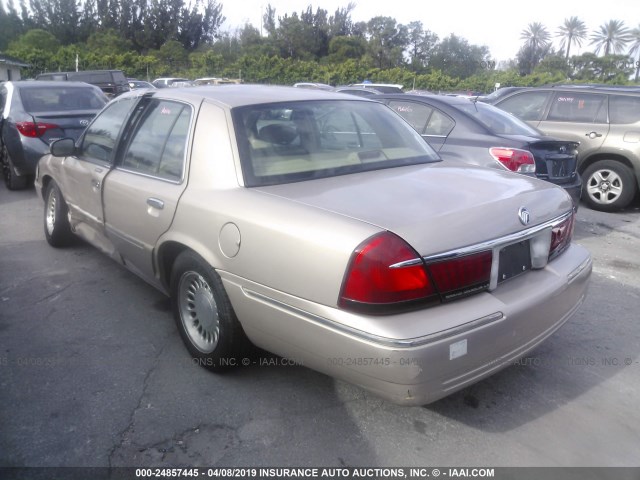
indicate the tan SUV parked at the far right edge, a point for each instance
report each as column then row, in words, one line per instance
column 606, row 122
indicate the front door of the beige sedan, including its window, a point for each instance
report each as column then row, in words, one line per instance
column 82, row 175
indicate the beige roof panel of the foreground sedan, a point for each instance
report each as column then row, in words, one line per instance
column 233, row 96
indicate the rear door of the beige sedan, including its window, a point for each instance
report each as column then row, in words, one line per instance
column 142, row 192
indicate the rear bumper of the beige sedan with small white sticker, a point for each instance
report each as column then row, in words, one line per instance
column 483, row 334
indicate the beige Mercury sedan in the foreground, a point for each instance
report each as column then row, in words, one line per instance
column 320, row 227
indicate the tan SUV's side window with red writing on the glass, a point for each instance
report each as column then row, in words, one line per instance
column 578, row 107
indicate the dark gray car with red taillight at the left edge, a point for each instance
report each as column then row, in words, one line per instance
column 35, row 113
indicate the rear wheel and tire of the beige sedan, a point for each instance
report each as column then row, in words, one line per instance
column 204, row 315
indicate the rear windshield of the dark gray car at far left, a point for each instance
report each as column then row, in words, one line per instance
column 55, row 99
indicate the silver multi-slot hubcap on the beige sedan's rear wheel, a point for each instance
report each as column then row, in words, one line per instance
column 198, row 311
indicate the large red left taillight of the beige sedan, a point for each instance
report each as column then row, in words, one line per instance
column 386, row 275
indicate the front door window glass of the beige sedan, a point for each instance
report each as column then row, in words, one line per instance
column 100, row 137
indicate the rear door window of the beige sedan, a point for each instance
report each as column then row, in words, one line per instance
column 158, row 145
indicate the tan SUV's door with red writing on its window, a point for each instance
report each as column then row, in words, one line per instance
column 578, row 116
